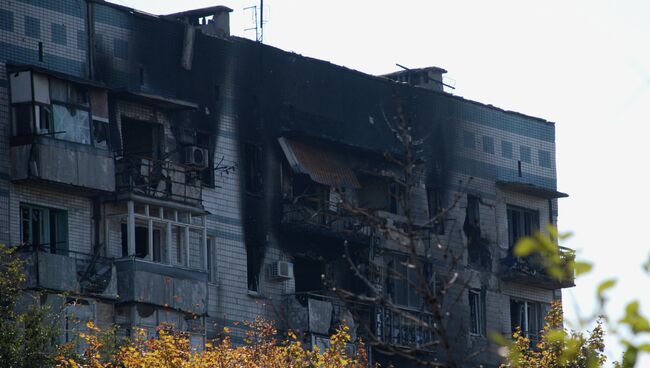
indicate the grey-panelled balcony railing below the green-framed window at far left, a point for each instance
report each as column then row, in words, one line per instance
column 65, row 270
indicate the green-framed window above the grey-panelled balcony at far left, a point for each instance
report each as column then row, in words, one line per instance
column 45, row 228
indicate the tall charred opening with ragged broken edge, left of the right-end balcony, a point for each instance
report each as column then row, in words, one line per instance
column 478, row 253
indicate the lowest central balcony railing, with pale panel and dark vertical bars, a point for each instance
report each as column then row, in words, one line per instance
column 400, row 327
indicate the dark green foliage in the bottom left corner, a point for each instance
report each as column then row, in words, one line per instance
column 27, row 338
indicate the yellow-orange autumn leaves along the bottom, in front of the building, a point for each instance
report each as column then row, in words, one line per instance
column 172, row 349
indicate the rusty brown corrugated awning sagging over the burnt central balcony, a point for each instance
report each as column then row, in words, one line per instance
column 322, row 166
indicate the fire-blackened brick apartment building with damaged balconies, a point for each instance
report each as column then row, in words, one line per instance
column 159, row 170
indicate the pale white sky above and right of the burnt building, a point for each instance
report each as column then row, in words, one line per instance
column 584, row 65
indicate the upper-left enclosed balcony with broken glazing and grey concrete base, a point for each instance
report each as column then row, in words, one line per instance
column 59, row 131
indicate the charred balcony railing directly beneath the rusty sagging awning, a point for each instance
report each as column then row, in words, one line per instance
column 326, row 218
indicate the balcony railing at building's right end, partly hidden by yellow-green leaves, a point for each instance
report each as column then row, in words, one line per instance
column 533, row 270
